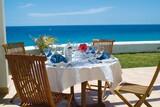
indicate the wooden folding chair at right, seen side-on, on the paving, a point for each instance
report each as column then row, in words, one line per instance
column 142, row 92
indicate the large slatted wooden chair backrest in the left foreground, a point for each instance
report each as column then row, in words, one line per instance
column 30, row 79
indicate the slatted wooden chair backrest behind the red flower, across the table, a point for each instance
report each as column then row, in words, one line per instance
column 101, row 45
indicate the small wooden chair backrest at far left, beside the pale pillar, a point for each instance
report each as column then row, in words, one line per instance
column 14, row 48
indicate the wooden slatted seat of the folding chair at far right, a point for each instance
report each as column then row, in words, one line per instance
column 133, row 88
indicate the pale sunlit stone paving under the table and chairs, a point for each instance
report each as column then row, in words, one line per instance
column 134, row 75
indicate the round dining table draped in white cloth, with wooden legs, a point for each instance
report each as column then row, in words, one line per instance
column 64, row 75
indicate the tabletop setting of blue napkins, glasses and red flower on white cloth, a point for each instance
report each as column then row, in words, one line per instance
column 81, row 55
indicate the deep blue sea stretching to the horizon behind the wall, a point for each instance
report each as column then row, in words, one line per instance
column 85, row 33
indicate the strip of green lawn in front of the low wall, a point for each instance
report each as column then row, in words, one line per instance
column 138, row 59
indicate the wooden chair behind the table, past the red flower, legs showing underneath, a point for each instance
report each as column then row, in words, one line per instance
column 102, row 45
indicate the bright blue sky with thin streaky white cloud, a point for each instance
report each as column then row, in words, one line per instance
column 81, row 12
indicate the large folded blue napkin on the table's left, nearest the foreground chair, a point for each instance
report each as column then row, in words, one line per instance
column 57, row 58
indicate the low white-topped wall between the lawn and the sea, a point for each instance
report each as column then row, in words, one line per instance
column 119, row 47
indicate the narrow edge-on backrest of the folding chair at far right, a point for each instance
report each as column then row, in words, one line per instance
column 154, row 78
